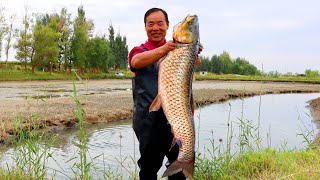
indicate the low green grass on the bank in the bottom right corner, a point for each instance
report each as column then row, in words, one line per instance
column 264, row 164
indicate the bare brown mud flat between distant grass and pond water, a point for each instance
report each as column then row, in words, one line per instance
column 51, row 103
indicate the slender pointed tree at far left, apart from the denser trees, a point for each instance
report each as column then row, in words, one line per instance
column 24, row 46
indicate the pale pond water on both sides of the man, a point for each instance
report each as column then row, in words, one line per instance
column 282, row 118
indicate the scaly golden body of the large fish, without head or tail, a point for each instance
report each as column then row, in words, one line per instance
column 175, row 76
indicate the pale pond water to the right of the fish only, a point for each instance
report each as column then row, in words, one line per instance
column 282, row 117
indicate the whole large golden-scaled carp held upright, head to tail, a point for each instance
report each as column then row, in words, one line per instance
column 175, row 93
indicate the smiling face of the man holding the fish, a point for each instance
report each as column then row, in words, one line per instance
column 156, row 27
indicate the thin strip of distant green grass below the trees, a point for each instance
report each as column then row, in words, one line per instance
column 16, row 72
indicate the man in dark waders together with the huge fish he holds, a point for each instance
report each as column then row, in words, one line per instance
column 165, row 94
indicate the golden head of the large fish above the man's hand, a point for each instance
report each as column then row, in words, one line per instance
column 187, row 31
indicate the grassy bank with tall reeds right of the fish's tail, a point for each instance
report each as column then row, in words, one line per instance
column 249, row 160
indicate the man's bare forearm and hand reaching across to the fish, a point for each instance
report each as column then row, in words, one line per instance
column 147, row 58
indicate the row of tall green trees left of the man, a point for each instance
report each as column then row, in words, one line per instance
column 55, row 42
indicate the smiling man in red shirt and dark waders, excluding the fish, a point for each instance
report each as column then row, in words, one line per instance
column 152, row 129
